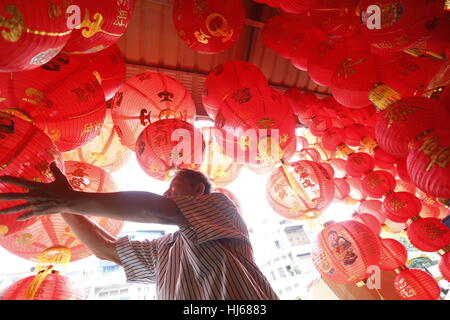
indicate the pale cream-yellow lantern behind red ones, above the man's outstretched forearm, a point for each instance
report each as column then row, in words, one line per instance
column 105, row 151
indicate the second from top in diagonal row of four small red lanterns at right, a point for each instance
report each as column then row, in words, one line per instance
column 377, row 183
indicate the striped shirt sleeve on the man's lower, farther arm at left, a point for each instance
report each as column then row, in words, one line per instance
column 138, row 258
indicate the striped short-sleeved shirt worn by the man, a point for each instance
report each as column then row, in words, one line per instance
column 212, row 259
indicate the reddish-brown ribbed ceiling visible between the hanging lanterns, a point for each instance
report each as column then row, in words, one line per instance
column 151, row 43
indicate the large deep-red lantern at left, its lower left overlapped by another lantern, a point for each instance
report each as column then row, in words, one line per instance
column 62, row 97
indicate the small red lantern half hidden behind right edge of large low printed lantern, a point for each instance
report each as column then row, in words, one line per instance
column 393, row 254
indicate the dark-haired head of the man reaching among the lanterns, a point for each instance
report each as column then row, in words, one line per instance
column 188, row 183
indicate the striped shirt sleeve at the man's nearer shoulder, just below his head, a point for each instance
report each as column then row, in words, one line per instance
column 212, row 217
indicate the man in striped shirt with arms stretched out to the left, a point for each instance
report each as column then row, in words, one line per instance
column 209, row 257
